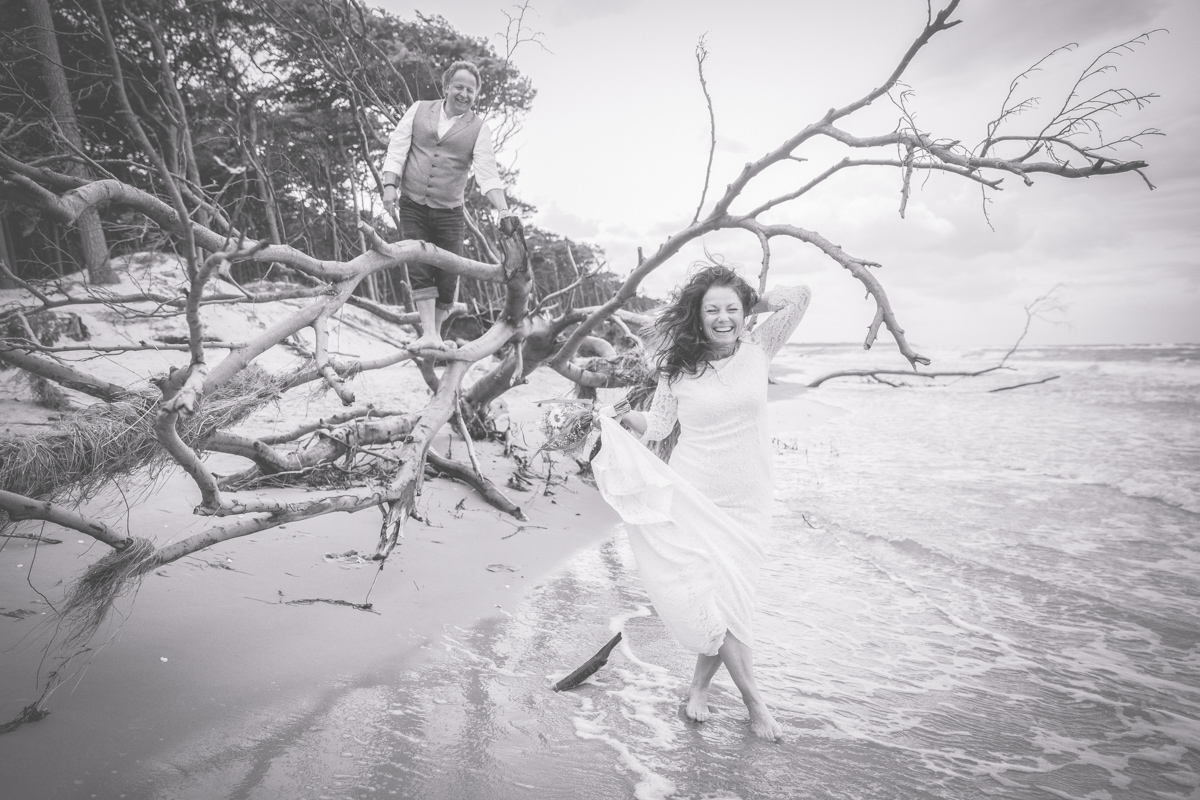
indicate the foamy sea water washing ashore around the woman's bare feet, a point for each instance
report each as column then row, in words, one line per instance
column 967, row 594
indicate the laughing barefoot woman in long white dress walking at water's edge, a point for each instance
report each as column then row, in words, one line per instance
column 697, row 527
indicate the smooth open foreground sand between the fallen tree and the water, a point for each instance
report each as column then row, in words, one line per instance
column 209, row 652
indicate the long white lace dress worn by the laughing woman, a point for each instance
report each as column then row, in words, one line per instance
column 697, row 526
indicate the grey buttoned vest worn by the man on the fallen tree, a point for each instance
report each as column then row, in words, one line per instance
column 436, row 171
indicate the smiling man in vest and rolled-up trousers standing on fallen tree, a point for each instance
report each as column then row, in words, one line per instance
column 430, row 155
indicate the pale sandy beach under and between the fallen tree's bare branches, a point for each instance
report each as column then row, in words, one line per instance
column 225, row 641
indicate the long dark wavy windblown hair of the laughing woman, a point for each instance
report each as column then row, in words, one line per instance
column 687, row 351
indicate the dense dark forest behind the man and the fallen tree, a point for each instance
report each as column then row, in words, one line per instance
column 273, row 113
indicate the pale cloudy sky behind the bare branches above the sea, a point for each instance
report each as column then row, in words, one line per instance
column 614, row 154
